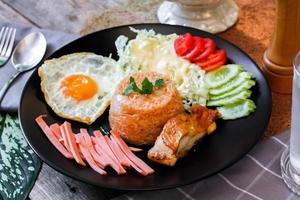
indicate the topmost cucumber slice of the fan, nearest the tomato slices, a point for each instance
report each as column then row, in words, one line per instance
column 222, row 75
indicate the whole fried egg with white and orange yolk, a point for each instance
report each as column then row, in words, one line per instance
column 79, row 86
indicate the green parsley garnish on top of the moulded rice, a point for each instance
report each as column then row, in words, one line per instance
column 147, row 86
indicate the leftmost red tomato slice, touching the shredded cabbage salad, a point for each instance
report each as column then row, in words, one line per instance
column 183, row 44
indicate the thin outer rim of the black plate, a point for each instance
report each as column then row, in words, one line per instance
column 151, row 188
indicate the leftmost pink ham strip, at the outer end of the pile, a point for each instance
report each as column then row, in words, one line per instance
column 52, row 138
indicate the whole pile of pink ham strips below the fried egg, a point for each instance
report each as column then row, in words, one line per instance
column 98, row 151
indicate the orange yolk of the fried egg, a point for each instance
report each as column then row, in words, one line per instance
column 79, row 87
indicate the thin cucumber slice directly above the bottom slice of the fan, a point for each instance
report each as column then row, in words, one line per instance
column 231, row 99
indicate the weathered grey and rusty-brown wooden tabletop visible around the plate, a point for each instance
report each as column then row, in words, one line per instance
column 252, row 33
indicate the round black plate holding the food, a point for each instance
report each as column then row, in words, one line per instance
column 229, row 143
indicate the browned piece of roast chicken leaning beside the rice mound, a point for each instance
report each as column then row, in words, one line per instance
column 181, row 133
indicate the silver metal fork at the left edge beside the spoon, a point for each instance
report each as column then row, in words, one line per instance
column 7, row 38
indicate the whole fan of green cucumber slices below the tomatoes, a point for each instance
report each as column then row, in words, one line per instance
column 229, row 91
